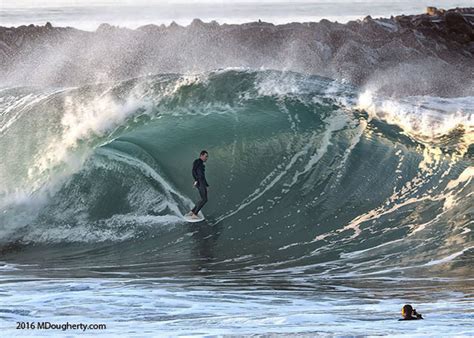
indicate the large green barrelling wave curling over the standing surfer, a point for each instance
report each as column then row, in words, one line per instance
column 301, row 177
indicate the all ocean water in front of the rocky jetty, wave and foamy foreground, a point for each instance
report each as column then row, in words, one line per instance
column 330, row 207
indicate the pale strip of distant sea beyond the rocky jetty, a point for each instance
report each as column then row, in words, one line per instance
column 88, row 15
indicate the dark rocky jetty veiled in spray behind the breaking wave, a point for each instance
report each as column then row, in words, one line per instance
column 428, row 54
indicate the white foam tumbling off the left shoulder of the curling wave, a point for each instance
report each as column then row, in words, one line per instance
column 84, row 123
